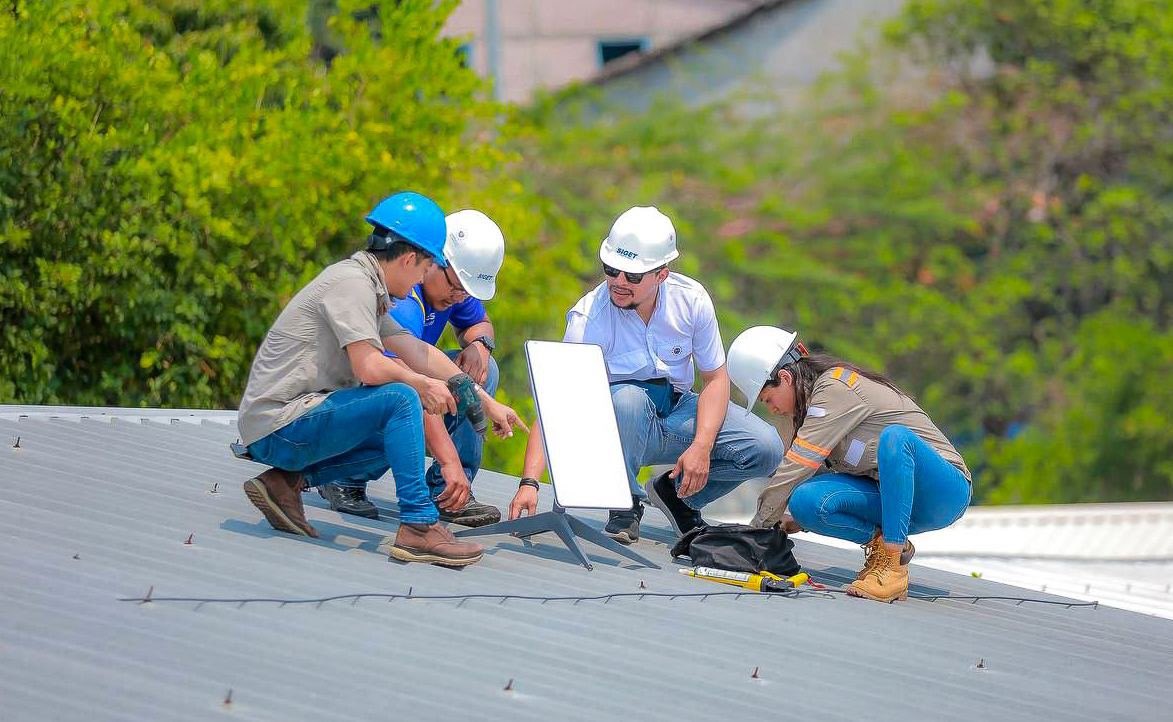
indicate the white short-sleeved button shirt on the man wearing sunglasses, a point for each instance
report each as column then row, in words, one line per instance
column 683, row 330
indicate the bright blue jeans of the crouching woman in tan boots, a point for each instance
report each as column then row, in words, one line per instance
column 918, row 492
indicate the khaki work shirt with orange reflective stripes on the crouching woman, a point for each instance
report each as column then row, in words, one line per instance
column 842, row 433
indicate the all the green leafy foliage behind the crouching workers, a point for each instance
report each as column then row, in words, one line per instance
column 994, row 228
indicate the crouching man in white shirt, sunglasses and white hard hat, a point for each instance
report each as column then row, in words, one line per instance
column 653, row 326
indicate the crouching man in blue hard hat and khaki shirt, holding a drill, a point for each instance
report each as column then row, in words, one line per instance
column 324, row 404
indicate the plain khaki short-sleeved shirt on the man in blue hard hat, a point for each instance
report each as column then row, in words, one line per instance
column 303, row 358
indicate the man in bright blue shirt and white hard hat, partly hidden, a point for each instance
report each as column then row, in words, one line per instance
column 455, row 295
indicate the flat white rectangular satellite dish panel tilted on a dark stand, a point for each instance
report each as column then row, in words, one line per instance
column 573, row 396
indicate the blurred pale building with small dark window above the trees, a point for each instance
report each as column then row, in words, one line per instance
column 532, row 45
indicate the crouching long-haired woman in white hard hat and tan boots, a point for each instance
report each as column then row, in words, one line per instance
column 889, row 471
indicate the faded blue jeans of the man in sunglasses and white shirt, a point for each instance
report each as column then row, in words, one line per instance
column 657, row 425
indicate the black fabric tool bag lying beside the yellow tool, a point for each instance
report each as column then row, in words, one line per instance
column 738, row 548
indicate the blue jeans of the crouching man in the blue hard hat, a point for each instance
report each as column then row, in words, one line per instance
column 358, row 434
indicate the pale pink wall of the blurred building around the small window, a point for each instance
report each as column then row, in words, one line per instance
column 548, row 44
